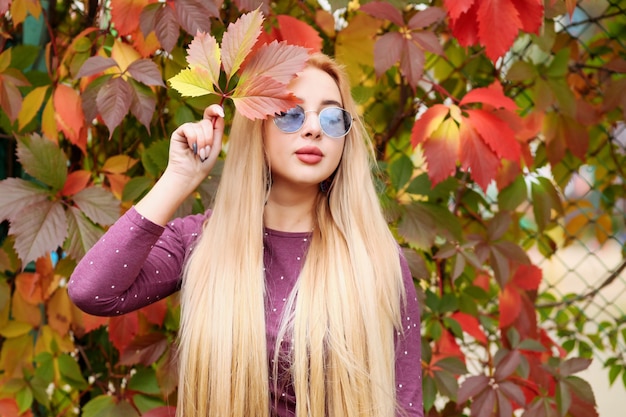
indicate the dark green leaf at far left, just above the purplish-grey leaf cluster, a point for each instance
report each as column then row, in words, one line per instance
column 43, row 160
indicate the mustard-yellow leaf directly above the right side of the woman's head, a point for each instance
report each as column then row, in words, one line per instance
column 355, row 45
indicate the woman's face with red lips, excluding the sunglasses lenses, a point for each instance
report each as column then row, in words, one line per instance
column 307, row 156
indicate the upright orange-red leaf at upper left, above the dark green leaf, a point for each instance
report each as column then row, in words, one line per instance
column 69, row 115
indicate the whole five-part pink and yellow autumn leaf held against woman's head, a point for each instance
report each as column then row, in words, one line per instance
column 260, row 88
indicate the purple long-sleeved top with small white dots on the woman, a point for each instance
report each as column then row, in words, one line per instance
column 138, row 262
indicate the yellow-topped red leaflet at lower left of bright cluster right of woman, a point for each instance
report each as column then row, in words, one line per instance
column 441, row 151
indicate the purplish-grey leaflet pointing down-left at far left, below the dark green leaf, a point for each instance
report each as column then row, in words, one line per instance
column 40, row 229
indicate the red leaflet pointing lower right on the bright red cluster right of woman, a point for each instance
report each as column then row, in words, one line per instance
column 495, row 132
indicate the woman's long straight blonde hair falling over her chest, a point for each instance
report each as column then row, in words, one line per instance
column 343, row 312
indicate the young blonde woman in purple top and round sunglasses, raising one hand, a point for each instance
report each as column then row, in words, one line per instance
column 295, row 298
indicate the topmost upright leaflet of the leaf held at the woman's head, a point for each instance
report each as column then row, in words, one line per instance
column 239, row 39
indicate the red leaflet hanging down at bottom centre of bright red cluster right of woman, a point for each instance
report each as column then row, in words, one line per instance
column 477, row 158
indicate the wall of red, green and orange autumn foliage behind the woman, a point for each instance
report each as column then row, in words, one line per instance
column 482, row 117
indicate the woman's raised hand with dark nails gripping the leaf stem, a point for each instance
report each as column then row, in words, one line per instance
column 195, row 147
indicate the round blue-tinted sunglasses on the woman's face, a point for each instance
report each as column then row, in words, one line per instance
column 334, row 121
